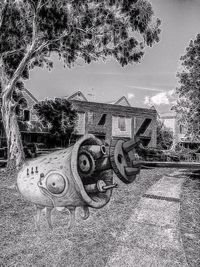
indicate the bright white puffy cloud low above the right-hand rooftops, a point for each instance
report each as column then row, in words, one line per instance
column 162, row 98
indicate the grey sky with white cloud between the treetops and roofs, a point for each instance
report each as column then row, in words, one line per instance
column 151, row 82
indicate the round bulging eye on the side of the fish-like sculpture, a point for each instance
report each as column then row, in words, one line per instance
column 55, row 183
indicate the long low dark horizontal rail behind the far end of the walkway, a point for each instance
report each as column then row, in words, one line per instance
column 158, row 164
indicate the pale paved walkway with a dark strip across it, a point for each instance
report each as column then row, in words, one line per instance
column 152, row 236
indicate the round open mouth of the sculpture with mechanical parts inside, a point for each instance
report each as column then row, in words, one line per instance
column 92, row 180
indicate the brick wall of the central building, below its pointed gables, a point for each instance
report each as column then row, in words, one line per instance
column 102, row 120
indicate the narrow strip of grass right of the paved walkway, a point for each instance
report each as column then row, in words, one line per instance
column 190, row 220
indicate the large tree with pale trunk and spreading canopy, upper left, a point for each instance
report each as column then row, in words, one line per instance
column 31, row 30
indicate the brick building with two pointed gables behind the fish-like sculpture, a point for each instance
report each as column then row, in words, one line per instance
column 112, row 120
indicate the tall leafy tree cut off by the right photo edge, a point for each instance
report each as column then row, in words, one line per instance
column 188, row 91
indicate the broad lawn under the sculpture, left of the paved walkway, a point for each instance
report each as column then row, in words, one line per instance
column 89, row 243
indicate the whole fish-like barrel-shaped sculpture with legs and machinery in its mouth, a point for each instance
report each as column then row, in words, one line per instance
column 78, row 176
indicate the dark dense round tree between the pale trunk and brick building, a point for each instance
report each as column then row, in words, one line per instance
column 59, row 116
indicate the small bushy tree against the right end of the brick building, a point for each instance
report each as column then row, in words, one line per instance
column 164, row 136
